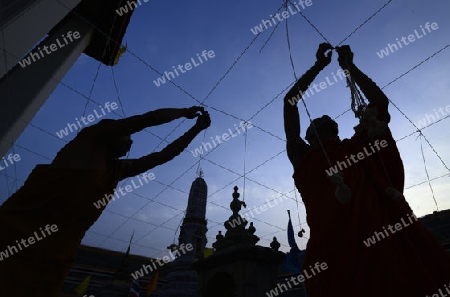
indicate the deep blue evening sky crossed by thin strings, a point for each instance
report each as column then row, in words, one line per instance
column 165, row 34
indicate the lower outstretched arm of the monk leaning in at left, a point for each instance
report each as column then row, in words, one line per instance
column 134, row 167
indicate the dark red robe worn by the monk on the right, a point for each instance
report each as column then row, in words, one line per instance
column 406, row 262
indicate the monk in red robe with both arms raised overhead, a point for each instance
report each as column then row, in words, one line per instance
column 401, row 258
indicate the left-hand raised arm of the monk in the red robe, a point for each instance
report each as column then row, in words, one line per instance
column 295, row 145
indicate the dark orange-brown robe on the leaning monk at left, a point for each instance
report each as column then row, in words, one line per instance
column 50, row 195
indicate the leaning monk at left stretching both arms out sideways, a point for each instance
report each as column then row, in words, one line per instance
column 43, row 223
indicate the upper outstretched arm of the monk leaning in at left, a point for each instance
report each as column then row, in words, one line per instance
column 130, row 125
